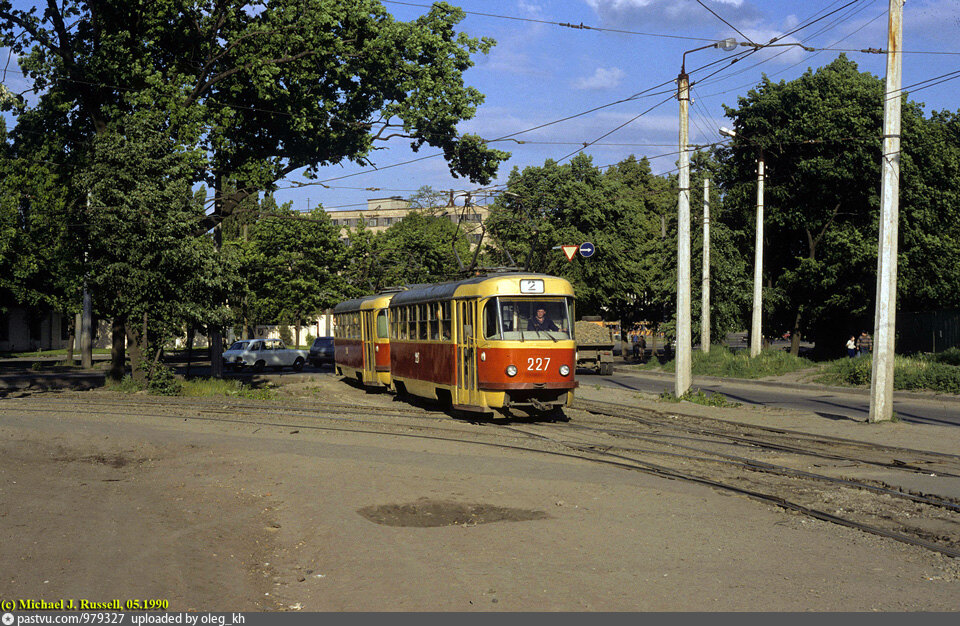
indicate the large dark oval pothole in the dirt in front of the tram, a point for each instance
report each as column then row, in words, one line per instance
column 425, row 513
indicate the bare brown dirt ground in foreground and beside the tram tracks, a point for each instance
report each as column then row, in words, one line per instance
column 223, row 505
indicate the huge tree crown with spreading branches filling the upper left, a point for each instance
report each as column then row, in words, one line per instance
column 267, row 88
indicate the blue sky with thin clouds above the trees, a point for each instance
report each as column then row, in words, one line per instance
column 540, row 72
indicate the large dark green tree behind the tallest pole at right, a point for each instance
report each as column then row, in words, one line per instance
column 820, row 137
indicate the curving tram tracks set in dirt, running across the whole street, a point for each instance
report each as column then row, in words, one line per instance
column 923, row 520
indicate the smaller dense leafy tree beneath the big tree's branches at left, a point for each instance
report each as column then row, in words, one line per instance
column 146, row 268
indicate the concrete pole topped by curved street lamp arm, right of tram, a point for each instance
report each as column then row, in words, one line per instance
column 684, row 342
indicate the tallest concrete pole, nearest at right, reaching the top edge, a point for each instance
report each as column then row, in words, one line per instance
column 881, row 381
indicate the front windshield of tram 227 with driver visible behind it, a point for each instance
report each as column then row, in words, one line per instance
column 527, row 319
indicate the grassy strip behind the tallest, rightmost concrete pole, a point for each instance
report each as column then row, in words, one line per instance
column 933, row 372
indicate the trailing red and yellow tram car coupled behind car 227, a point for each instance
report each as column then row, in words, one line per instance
column 361, row 341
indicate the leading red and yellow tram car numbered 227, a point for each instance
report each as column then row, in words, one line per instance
column 495, row 342
